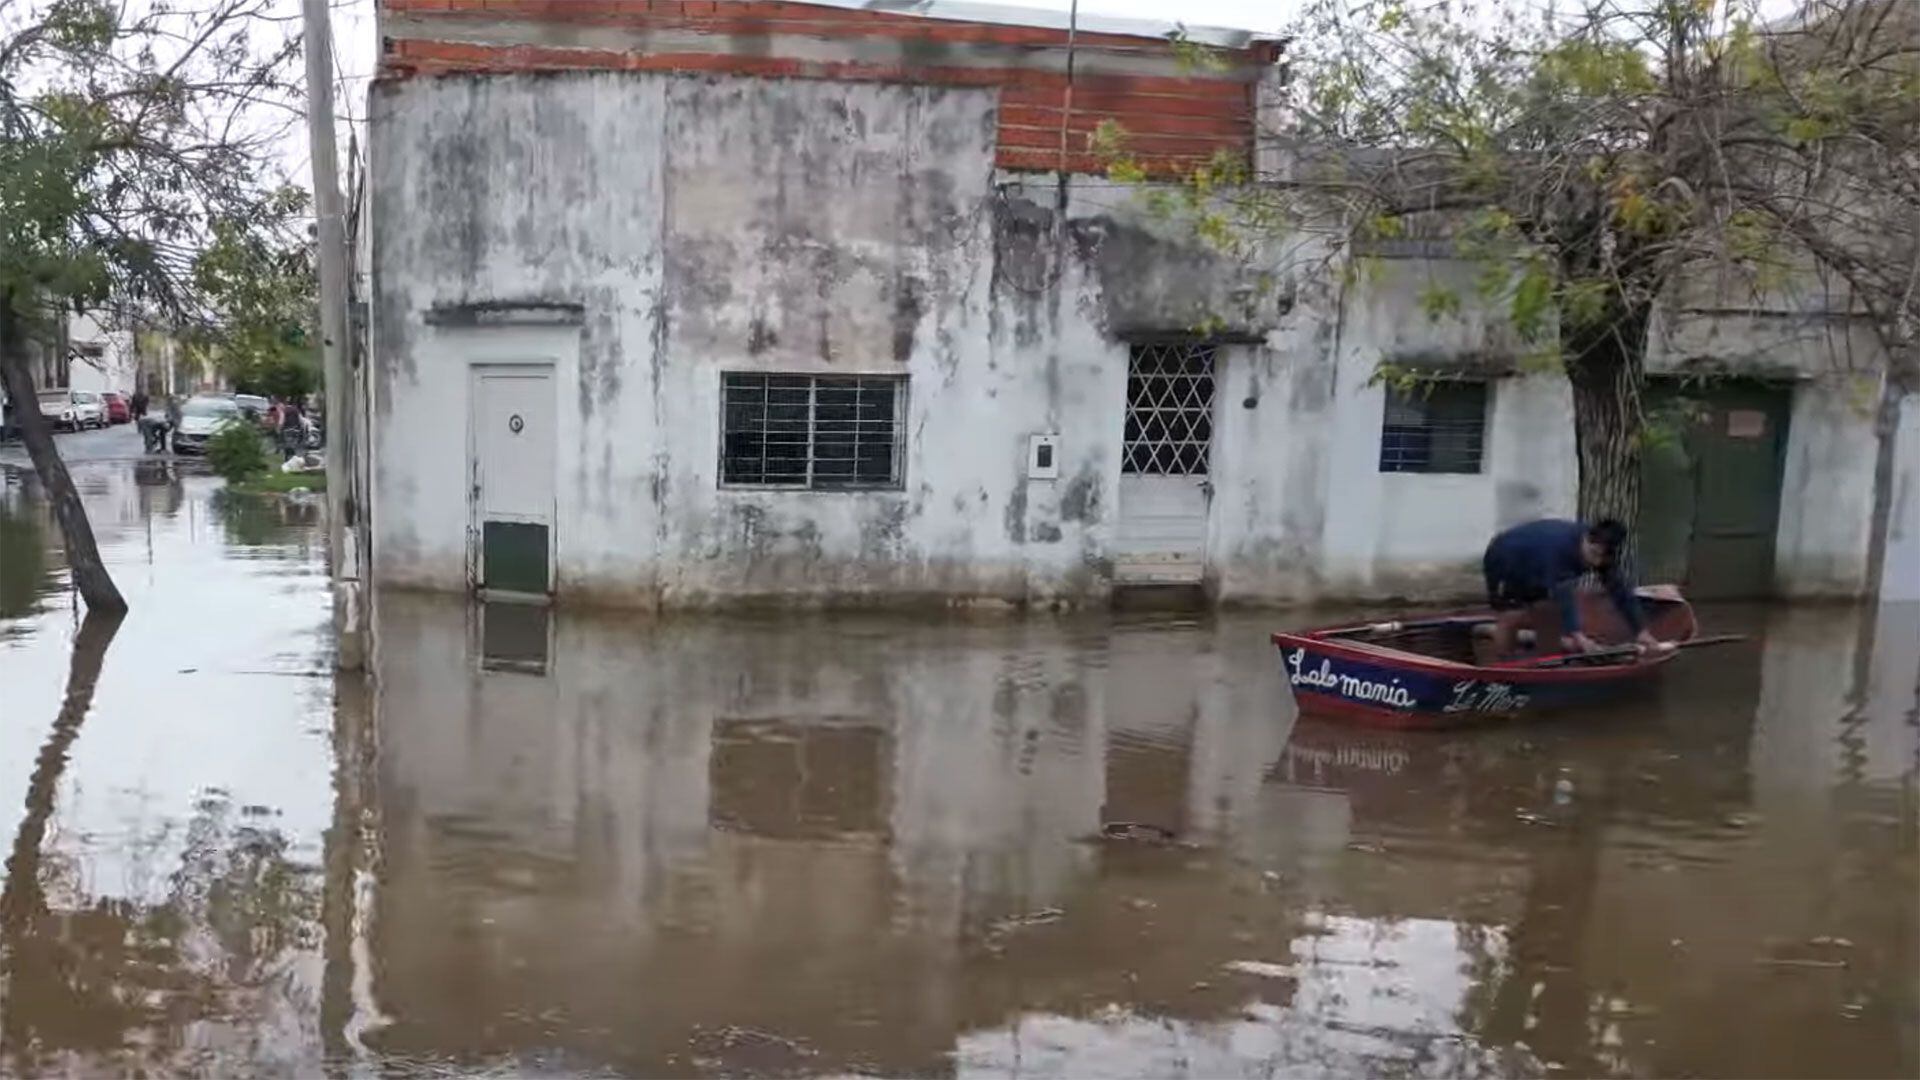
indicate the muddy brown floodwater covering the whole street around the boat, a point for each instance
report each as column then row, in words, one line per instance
column 1093, row 847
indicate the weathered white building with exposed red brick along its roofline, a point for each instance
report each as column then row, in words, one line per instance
column 830, row 307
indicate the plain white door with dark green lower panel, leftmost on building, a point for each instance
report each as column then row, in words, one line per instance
column 514, row 449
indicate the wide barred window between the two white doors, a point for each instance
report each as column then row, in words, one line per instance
column 811, row 431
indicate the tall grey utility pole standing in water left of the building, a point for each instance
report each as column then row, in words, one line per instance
column 343, row 503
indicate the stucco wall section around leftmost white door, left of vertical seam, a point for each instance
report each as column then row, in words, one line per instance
column 492, row 191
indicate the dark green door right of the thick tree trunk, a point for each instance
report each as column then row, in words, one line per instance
column 1712, row 495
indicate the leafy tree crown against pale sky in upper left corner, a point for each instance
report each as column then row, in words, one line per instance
column 128, row 141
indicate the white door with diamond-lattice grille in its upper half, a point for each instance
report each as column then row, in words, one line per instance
column 1164, row 483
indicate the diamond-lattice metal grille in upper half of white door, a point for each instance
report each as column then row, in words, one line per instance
column 1170, row 410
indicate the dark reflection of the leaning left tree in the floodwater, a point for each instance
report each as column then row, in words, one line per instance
column 95, row 981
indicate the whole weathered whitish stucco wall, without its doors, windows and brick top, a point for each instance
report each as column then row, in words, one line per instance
column 698, row 226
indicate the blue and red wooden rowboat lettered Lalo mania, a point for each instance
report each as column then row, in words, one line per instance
column 1439, row 672
